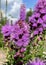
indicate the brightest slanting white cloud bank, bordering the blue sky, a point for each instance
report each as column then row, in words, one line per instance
column 15, row 8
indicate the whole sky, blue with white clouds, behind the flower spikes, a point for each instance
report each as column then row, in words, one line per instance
column 13, row 8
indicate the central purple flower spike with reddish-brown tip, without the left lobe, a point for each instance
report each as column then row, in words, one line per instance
column 21, row 34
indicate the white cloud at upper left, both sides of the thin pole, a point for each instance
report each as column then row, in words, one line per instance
column 14, row 8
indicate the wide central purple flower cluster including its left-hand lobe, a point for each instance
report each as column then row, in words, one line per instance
column 18, row 32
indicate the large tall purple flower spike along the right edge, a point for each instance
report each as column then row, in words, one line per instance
column 38, row 19
